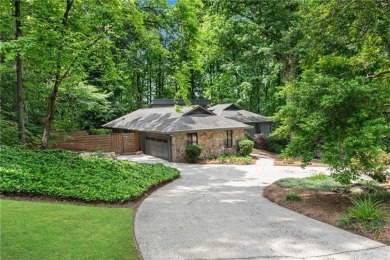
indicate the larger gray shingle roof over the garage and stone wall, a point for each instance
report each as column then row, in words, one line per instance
column 167, row 120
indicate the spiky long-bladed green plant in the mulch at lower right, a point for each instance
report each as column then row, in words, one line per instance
column 365, row 211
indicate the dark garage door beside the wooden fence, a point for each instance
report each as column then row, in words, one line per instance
column 157, row 145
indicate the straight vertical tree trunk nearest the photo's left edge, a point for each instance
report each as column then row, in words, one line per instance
column 19, row 78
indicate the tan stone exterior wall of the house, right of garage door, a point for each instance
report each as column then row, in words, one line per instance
column 211, row 142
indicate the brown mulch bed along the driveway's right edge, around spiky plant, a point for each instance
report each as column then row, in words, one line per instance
column 327, row 207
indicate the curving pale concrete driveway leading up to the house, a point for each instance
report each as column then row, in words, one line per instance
column 218, row 212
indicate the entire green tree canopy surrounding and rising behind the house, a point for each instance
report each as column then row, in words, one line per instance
column 321, row 68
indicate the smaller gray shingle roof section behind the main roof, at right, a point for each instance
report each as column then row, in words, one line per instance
column 234, row 112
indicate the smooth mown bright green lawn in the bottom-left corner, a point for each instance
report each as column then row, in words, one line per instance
column 36, row 230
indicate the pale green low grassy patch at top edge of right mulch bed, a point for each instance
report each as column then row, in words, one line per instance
column 316, row 182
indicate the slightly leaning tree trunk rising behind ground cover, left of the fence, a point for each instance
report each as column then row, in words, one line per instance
column 51, row 106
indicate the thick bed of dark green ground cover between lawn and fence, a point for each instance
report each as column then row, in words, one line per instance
column 66, row 175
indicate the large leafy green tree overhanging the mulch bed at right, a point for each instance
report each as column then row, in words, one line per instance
column 337, row 106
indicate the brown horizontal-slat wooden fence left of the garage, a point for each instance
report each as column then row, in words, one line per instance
column 120, row 143
